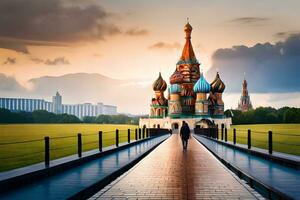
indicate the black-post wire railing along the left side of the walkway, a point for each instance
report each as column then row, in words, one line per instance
column 27, row 152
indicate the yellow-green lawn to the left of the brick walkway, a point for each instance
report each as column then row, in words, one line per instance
column 22, row 154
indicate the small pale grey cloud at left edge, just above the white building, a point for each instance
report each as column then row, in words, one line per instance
column 8, row 83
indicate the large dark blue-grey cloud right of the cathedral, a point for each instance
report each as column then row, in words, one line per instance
column 268, row 67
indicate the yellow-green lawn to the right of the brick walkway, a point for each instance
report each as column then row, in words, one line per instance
column 286, row 137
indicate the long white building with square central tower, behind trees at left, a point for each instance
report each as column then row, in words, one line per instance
column 56, row 106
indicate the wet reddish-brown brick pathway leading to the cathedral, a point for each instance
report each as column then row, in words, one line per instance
column 171, row 173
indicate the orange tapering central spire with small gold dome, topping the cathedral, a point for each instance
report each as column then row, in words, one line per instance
column 188, row 52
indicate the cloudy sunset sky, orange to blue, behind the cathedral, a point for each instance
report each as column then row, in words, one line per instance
column 134, row 40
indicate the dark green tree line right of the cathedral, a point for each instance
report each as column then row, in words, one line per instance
column 265, row 115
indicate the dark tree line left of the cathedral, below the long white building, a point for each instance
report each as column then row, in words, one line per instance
column 43, row 116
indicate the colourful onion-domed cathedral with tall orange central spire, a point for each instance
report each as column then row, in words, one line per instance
column 190, row 97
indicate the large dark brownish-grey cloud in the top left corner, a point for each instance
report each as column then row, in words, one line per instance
column 51, row 21
